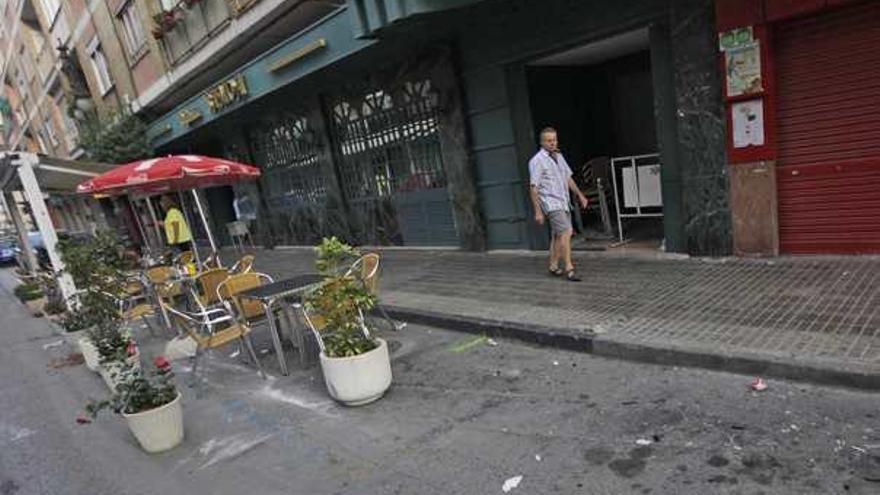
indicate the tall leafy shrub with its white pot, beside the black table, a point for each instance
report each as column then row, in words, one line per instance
column 355, row 363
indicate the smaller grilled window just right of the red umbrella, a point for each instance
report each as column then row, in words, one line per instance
column 288, row 152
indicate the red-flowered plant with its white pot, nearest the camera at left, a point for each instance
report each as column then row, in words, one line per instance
column 151, row 406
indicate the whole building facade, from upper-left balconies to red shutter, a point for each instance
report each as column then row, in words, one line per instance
column 411, row 122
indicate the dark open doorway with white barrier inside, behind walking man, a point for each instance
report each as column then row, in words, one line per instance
column 600, row 99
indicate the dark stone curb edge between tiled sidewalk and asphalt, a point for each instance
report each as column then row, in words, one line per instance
column 809, row 371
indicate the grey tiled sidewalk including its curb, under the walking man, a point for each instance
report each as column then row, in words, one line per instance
column 814, row 319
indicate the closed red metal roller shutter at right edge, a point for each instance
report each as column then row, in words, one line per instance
column 828, row 69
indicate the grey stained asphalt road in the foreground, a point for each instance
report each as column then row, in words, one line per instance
column 463, row 417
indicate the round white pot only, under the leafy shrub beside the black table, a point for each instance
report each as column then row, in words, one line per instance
column 358, row 380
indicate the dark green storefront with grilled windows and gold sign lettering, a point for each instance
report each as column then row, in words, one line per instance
column 412, row 124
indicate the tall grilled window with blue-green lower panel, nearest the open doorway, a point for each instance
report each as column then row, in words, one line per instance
column 391, row 164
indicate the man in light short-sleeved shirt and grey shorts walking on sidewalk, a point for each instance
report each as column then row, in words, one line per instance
column 550, row 179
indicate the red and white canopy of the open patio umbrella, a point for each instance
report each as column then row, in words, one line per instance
column 170, row 173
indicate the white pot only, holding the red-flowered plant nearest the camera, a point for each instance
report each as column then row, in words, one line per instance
column 158, row 429
